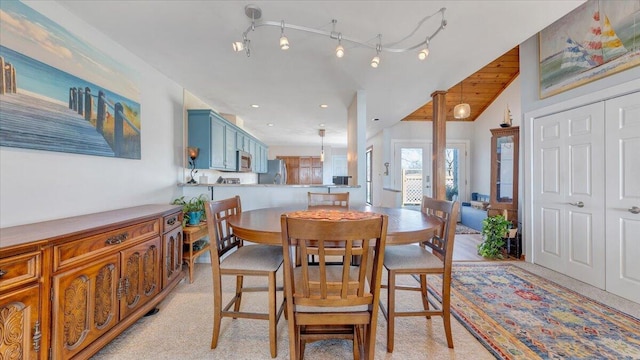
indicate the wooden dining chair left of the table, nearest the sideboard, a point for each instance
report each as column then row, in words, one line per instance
column 231, row 257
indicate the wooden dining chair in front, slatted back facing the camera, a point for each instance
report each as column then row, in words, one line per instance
column 333, row 301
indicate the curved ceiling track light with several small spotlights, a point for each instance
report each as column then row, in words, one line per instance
column 254, row 13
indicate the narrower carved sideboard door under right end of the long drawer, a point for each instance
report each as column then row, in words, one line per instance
column 140, row 277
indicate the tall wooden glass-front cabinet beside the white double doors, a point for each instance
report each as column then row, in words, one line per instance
column 505, row 145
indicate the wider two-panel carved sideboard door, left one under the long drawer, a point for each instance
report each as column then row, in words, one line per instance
column 85, row 305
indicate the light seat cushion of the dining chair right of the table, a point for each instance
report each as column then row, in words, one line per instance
column 406, row 257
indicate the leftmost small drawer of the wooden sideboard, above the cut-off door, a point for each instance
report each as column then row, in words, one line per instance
column 18, row 270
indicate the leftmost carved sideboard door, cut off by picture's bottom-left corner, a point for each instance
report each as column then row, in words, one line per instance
column 20, row 328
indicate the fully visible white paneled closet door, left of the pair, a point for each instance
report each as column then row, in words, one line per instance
column 568, row 193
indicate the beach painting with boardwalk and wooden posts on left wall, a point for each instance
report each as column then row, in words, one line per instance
column 60, row 93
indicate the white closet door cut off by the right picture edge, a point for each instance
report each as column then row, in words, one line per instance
column 623, row 193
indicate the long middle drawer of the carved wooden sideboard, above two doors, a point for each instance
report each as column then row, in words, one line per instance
column 115, row 240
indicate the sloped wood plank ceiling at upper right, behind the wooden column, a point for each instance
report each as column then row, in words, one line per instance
column 478, row 90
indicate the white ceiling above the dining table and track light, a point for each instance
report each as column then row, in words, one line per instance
column 190, row 43
